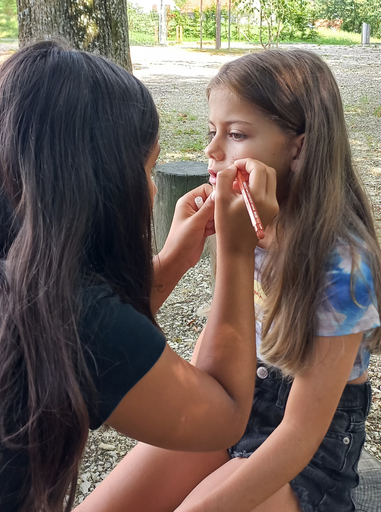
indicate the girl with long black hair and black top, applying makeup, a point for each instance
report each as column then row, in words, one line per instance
column 79, row 345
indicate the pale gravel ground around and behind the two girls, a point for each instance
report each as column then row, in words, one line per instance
column 177, row 78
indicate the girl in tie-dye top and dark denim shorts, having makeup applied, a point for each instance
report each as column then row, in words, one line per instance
column 317, row 294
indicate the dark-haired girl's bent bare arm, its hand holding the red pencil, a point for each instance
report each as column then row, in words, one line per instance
column 181, row 407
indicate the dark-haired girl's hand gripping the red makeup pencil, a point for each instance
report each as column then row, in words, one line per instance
column 233, row 225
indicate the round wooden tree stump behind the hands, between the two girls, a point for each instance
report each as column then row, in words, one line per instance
column 173, row 180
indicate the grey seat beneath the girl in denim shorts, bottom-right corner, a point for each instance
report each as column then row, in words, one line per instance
column 367, row 496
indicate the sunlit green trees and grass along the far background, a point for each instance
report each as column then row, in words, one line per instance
column 252, row 21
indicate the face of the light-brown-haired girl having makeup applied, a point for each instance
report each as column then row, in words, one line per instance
column 239, row 130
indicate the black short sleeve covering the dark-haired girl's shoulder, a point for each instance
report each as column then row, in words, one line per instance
column 120, row 345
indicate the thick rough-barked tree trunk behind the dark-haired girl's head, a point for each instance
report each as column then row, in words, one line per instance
column 98, row 26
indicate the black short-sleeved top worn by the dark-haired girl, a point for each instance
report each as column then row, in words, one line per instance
column 120, row 346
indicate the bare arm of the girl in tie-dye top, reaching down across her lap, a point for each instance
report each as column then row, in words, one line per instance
column 310, row 408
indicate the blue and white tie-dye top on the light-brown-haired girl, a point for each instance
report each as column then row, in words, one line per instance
column 338, row 312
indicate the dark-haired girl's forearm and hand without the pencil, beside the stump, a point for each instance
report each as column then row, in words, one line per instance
column 185, row 242
